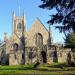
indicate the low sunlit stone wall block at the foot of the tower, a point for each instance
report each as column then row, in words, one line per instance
column 15, row 58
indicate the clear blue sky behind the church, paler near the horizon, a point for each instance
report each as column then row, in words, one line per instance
column 32, row 11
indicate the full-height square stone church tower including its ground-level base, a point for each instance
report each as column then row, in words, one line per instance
column 17, row 54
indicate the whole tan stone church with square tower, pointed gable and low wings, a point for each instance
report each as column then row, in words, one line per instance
column 27, row 47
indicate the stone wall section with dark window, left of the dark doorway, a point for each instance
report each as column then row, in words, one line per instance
column 31, row 55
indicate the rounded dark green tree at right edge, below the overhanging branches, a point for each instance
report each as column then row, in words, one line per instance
column 70, row 41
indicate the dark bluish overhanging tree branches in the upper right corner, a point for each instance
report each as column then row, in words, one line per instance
column 65, row 14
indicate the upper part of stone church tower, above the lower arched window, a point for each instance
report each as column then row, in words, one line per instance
column 18, row 27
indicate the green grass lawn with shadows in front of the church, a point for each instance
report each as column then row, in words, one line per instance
column 44, row 69
